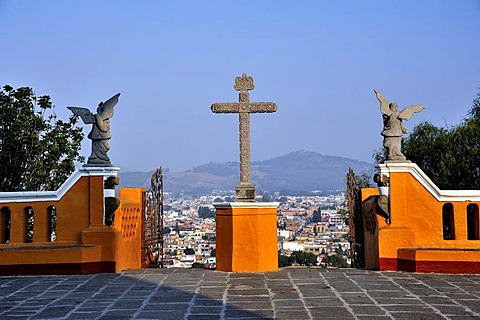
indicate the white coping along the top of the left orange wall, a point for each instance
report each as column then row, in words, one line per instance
column 35, row 196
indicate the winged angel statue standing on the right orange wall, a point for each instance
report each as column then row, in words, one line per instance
column 393, row 128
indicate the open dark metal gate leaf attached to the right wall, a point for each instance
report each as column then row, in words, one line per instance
column 355, row 221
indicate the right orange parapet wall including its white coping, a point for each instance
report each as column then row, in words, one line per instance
column 431, row 230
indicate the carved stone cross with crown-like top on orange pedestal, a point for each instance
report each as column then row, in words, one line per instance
column 245, row 191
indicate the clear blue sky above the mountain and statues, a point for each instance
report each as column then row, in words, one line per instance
column 318, row 60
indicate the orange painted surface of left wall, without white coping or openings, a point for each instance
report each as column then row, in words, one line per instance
column 81, row 235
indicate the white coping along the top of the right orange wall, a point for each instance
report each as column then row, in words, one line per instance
column 427, row 183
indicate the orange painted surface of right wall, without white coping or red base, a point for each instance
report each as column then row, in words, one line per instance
column 416, row 222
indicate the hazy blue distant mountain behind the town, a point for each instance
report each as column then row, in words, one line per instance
column 295, row 172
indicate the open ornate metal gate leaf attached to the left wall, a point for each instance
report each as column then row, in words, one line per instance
column 152, row 242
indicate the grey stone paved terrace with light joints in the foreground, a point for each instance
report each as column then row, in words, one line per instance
column 292, row 293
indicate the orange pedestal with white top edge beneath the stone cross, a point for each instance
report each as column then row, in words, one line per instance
column 247, row 236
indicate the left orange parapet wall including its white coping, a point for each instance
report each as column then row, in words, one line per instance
column 63, row 231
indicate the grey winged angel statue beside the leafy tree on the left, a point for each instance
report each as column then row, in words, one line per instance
column 100, row 133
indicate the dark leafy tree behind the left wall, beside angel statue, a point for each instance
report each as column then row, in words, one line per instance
column 37, row 150
